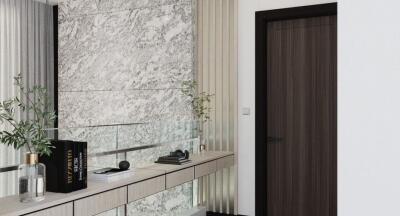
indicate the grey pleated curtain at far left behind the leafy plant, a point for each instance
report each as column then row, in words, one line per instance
column 28, row 48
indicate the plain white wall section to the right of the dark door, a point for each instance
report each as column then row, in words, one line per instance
column 369, row 108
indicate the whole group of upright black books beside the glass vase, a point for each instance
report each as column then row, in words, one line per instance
column 66, row 168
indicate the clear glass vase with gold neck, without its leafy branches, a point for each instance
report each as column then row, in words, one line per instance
column 32, row 179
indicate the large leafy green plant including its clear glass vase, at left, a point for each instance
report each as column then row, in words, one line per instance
column 28, row 134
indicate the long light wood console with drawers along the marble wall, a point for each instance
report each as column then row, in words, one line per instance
column 101, row 197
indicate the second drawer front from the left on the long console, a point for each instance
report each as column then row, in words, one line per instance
column 101, row 202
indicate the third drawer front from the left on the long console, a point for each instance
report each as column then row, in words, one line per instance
column 146, row 188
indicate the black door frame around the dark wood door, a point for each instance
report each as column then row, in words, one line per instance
column 262, row 19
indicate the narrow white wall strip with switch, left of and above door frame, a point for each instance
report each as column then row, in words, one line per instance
column 246, row 93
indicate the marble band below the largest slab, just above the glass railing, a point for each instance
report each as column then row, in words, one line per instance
column 77, row 109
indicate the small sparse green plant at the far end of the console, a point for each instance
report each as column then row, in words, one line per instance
column 201, row 104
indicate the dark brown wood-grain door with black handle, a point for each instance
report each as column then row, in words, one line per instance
column 301, row 117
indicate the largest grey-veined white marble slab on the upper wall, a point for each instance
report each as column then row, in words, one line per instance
column 148, row 48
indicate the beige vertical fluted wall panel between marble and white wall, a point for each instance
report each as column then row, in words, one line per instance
column 217, row 75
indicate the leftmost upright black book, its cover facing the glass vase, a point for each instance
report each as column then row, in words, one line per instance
column 59, row 167
